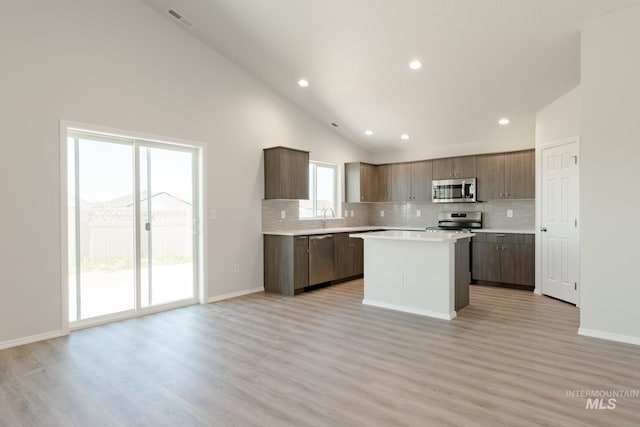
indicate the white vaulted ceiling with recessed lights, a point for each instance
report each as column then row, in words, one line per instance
column 482, row 60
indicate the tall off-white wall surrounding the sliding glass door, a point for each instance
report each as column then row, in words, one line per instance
column 119, row 64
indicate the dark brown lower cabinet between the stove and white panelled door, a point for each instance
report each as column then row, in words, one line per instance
column 503, row 258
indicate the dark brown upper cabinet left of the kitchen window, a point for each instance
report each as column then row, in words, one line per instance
column 286, row 173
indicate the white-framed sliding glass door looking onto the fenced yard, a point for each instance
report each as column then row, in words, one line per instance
column 133, row 226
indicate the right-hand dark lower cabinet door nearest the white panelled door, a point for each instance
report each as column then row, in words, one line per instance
column 517, row 264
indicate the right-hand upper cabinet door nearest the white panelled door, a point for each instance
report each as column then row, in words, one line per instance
column 520, row 175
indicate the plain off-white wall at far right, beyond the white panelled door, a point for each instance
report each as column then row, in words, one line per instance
column 610, row 146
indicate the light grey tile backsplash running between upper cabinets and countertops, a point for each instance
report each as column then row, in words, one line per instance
column 400, row 214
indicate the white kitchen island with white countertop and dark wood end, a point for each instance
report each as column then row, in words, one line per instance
column 424, row 273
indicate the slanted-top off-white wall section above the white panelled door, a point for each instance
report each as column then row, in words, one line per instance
column 560, row 119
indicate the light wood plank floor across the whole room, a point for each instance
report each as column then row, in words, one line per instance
column 323, row 359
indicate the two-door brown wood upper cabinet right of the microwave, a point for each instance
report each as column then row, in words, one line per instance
column 506, row 176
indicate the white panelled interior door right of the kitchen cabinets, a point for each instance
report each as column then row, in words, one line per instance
column 559, row 222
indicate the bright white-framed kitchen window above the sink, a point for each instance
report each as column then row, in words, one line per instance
column 323, row 191
